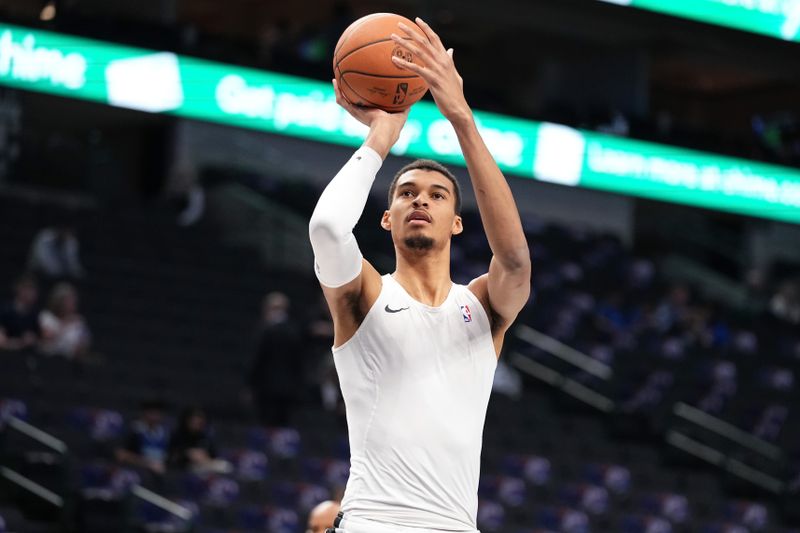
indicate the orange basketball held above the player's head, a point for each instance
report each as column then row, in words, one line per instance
column 363, row 67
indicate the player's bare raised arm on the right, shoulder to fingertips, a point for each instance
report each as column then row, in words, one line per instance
column 506, row 287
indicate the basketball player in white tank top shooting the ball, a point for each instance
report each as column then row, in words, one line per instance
column 415, row 353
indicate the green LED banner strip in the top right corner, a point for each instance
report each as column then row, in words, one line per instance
column 775, row 18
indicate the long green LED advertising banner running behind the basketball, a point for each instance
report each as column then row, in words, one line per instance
column 163, row 82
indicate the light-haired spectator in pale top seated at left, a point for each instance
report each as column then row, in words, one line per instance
column 64, row 331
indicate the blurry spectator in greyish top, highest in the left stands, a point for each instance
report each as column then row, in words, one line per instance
column 54, row 253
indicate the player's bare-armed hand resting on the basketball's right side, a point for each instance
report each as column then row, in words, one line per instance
column 439, row 72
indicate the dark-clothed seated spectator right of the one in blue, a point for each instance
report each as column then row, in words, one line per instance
column 191, row 445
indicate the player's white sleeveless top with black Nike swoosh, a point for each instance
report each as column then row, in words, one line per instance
column 416, row 382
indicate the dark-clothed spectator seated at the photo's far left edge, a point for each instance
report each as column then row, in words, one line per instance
column 19, row 319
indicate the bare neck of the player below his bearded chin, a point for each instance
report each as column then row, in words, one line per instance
column 425, row 277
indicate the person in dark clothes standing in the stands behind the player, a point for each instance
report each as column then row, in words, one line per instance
column 277, row 371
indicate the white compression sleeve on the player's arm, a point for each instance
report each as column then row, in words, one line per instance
column 337, row 259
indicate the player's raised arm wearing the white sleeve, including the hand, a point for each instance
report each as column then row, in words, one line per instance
column 350, row 284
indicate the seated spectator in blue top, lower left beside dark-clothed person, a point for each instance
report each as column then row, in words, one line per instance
column 146, row 444
